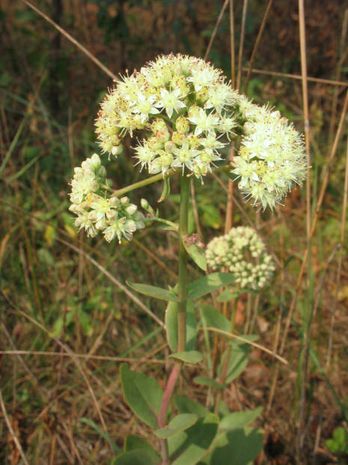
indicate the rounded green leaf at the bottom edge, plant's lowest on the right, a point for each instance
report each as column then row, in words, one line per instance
column 238, row 447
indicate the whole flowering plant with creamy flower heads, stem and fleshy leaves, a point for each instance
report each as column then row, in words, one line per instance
column 181, row 116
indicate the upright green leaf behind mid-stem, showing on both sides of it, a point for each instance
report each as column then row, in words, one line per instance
column 171, row 323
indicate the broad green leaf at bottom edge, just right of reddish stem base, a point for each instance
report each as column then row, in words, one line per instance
column 190, row 446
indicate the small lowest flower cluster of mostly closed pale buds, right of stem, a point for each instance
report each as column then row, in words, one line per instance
column 241, row 252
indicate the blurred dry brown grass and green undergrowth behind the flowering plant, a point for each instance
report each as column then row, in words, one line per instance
column 66, row 318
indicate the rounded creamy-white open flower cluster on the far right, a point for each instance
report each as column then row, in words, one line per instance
column 271, row 157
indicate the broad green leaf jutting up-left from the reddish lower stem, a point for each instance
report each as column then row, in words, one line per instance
column 143, row 395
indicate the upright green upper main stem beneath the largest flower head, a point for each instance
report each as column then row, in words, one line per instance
column 182, row 280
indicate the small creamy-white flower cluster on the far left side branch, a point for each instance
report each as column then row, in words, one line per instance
column 114, row 217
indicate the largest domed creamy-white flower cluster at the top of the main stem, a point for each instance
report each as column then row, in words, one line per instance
column 182, row 109
